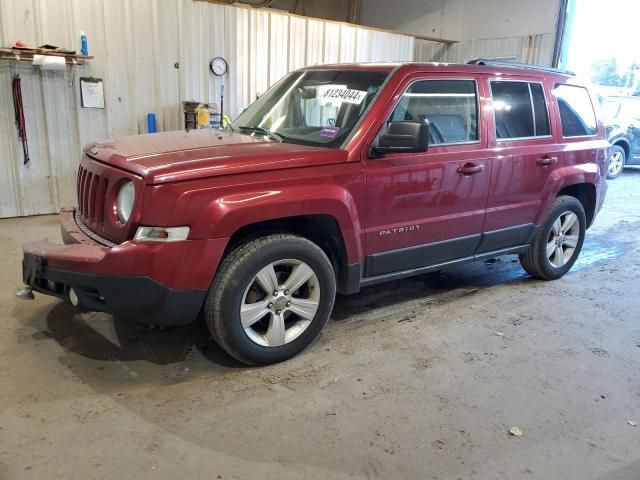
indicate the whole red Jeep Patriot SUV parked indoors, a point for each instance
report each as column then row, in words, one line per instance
column 337, row 178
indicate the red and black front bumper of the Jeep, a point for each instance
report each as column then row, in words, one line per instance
column 152, row 283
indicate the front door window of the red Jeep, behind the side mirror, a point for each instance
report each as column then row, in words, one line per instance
column 450, row 106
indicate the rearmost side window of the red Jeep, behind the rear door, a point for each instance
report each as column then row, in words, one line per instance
column 576, row 111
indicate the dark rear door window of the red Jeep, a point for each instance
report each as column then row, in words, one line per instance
column 520, row 110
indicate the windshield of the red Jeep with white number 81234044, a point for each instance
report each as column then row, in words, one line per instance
column 317, row 107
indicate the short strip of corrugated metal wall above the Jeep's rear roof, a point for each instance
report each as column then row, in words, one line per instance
column 533, row 49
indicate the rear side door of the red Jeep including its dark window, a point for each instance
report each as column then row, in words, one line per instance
column 526, row 152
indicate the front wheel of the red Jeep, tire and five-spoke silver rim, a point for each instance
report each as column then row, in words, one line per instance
column 291, row 320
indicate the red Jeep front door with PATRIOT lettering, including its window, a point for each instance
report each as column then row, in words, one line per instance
column 428, row 208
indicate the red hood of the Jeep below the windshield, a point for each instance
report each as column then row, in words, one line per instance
column 175, row 156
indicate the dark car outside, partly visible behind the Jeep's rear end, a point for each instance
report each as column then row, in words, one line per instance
column 622, row 120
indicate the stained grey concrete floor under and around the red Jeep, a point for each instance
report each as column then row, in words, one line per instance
column 418, row 379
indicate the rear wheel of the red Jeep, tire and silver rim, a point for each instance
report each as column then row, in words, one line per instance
column 543, row 260
